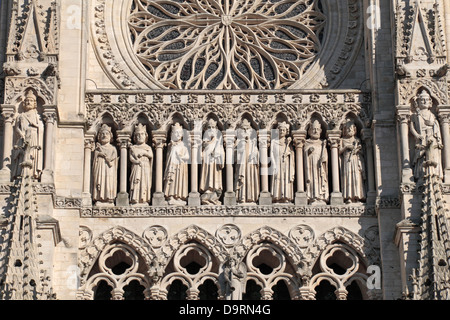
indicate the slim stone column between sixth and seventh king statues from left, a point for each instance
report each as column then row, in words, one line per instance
column 299, row 141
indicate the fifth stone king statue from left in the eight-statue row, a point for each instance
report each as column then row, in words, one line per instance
column 246, row 182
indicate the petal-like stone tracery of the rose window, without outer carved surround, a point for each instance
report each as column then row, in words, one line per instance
column 226, row 44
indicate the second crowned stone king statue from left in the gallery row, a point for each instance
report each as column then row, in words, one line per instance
column 141, row 158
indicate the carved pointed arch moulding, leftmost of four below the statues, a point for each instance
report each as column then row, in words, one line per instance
column 91, row 252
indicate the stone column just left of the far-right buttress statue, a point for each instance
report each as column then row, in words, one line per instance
column 403, row 118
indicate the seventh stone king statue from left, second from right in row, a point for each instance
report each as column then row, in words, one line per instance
column 316, row 166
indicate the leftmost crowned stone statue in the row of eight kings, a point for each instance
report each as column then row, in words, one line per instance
column 105, row 168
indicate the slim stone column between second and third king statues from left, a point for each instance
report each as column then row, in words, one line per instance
column 159, row 142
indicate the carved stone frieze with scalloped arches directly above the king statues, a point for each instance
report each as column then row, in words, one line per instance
column 159, row 107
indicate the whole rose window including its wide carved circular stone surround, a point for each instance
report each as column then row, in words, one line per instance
column 160, row 43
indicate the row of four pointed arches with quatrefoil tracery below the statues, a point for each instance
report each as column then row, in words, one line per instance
column 264, row 256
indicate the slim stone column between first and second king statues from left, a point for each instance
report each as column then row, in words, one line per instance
column 123, row 140
